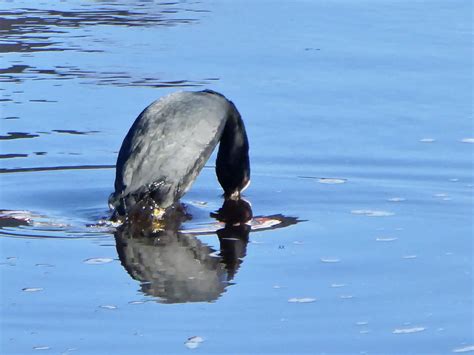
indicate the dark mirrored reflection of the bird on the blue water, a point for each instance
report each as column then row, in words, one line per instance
column 177, row 267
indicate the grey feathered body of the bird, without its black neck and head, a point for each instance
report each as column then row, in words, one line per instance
column 168, row 145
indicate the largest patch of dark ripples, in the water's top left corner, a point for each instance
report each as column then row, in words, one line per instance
column 35, row 30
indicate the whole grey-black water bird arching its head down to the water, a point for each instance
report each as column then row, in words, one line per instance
column 169, row 143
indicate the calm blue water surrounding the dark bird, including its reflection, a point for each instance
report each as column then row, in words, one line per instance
column 359, row 116
